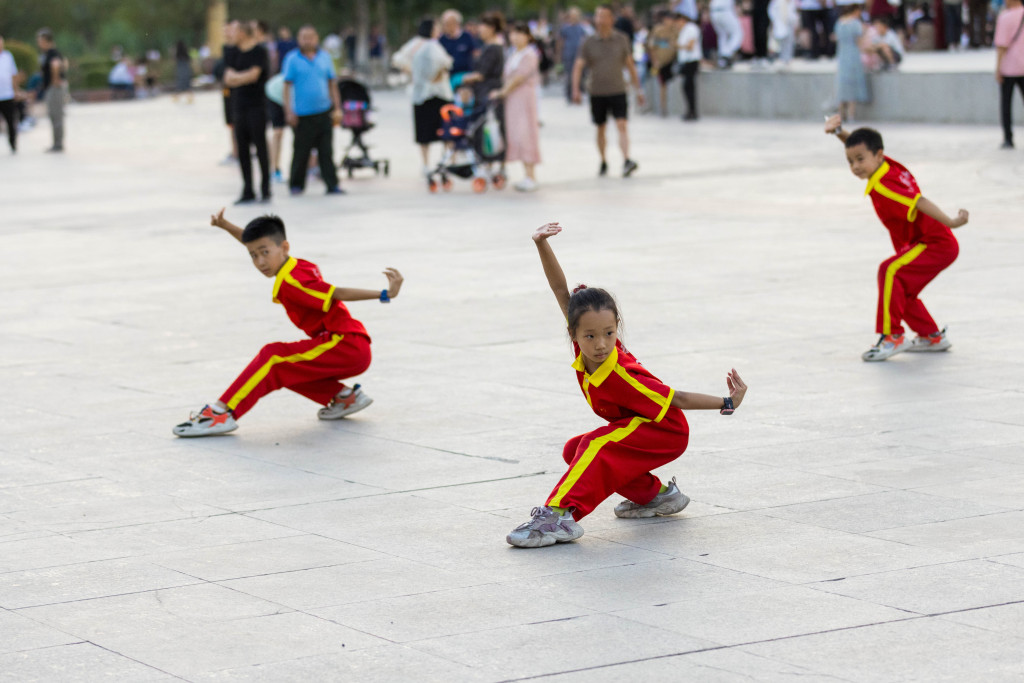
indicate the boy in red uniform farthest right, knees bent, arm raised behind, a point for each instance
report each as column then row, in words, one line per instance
column 920, row 231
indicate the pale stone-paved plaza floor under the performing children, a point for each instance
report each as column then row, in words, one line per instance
column 851, row 523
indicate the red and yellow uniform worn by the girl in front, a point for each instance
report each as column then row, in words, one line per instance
column 645, row 433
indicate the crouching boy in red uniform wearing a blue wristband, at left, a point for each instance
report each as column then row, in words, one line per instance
column 338, row 347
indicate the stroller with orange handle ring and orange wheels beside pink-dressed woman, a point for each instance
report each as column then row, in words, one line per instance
column 468, row 154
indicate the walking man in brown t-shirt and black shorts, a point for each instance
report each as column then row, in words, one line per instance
column 607, row 54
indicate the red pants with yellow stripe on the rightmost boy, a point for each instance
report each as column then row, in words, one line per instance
column 902, row 278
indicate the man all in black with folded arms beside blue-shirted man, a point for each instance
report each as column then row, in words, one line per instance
column 246, row 74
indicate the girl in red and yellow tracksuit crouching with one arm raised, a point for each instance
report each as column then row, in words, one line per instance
column 647, row 429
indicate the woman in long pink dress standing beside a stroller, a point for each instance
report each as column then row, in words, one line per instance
column 523, row 129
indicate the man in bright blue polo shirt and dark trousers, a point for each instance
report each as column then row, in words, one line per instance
column 314, row 112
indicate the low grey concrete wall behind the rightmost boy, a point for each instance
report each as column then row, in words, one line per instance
column 956, row 98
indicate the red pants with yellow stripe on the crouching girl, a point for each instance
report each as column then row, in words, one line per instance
column 618, row 458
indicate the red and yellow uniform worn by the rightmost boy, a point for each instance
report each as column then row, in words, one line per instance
column 924, row 248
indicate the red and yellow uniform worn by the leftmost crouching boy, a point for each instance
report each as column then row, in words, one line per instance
column 338, row 348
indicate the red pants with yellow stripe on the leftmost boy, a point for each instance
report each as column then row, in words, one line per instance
column 313, row 368
